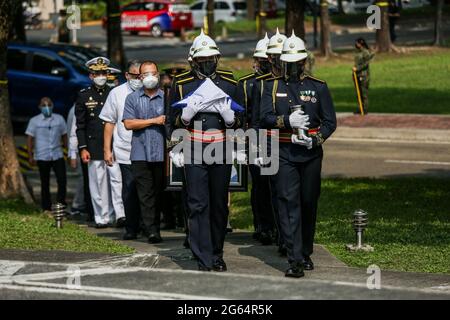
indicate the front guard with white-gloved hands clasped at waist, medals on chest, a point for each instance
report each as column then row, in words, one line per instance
column 302, row 109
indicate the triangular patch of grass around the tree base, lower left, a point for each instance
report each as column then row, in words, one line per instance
column 23, row 227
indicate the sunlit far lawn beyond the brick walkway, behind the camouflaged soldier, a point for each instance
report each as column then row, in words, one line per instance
column 413, row 83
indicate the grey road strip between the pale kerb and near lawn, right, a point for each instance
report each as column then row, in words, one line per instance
column 371, row 158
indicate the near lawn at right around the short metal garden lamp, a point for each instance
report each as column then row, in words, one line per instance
column 409, row 221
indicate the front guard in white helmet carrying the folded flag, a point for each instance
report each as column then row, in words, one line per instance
column 206, row 184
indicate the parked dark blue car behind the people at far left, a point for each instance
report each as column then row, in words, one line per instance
column 53, row 70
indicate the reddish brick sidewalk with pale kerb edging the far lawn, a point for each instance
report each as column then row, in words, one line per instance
column 394, row 127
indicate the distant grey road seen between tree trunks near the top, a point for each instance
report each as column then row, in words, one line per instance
column 171, row 49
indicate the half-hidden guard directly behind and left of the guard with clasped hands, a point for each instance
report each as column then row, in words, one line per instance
column 263, row 215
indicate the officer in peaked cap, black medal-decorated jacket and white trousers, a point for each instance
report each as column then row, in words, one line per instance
column 88, row 106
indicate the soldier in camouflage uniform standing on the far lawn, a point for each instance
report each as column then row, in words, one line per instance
column 363, row 56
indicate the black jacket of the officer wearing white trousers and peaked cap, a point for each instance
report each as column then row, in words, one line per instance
column 88, row 106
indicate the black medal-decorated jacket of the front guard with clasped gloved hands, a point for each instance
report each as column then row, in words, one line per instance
column 277, row 98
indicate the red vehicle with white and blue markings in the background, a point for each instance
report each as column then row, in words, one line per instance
column 156, row 17
